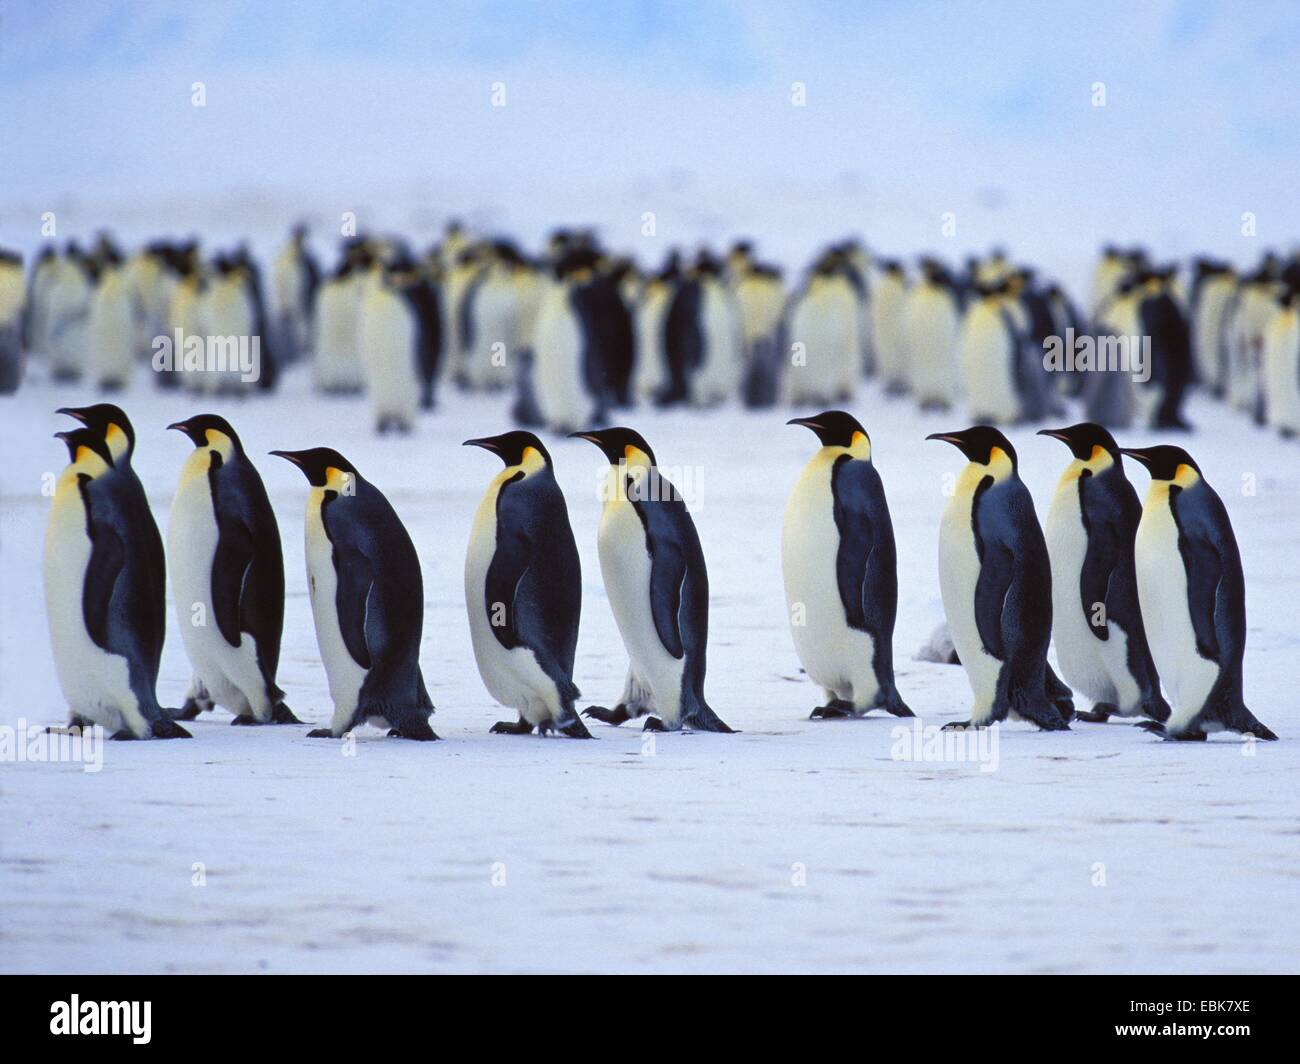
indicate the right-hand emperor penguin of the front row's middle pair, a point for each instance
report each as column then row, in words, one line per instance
column 655, row 574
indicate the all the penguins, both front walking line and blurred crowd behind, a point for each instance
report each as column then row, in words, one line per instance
column 578, row 334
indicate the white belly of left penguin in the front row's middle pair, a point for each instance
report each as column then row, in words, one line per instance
column 513, row 677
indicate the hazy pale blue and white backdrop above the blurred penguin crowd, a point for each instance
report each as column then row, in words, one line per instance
column 684, row 110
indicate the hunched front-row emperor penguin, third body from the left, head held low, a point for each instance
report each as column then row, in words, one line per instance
column 363, row 576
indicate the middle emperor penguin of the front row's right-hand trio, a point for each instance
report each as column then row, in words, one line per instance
column 1097, row 617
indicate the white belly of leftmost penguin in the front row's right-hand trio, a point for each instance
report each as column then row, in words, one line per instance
column 959, row 573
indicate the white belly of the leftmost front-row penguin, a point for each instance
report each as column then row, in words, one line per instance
column 96, row 685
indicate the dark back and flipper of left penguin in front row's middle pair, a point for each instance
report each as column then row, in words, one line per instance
column 544, row 603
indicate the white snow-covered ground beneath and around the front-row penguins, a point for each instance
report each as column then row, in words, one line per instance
column 794, row 846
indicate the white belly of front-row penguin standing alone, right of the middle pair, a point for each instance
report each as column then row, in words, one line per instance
column 834, row 655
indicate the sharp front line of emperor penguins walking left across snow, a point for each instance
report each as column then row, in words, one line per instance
column 1007, row 587
